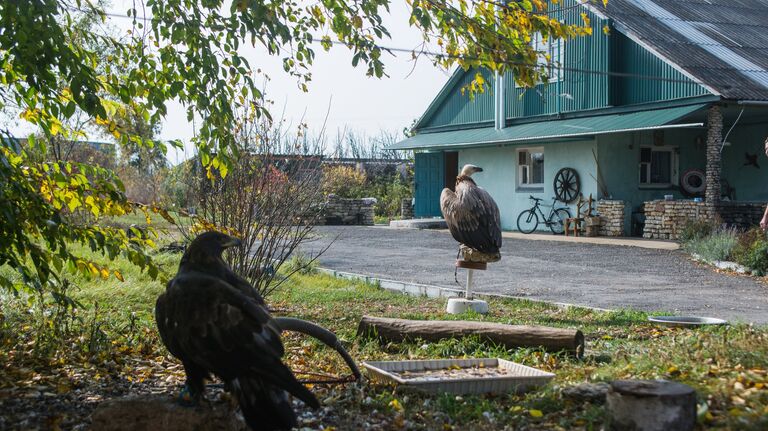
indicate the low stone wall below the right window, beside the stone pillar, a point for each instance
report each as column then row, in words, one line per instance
column 666, row 219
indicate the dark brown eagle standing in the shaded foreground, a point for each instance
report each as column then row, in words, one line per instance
column 216, row 328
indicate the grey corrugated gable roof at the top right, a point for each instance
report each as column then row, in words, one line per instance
column 721, row 43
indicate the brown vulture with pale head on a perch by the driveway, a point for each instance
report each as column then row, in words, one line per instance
column 471, row 213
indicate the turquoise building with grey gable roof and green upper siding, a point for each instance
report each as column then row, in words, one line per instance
column 672, row 100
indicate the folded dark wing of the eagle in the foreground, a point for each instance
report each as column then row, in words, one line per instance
column 206, row 321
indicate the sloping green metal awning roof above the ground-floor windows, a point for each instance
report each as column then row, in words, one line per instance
column 554, row 130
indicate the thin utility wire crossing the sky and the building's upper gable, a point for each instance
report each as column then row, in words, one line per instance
column 442, row 55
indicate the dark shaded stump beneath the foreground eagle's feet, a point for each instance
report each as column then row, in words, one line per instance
column 161, row 412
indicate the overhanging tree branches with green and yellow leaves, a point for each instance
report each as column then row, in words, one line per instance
column 190, row 51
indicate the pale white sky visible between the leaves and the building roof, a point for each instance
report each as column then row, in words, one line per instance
column 338, row 90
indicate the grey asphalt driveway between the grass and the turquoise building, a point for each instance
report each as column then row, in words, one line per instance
column 602, row 276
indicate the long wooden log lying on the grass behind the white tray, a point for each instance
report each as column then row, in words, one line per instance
column 511, row 336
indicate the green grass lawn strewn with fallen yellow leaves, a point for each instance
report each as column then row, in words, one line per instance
column 727, row 366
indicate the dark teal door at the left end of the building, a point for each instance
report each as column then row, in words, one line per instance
column 429, row 182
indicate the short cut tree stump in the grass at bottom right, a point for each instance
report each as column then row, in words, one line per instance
column 651, row 405
